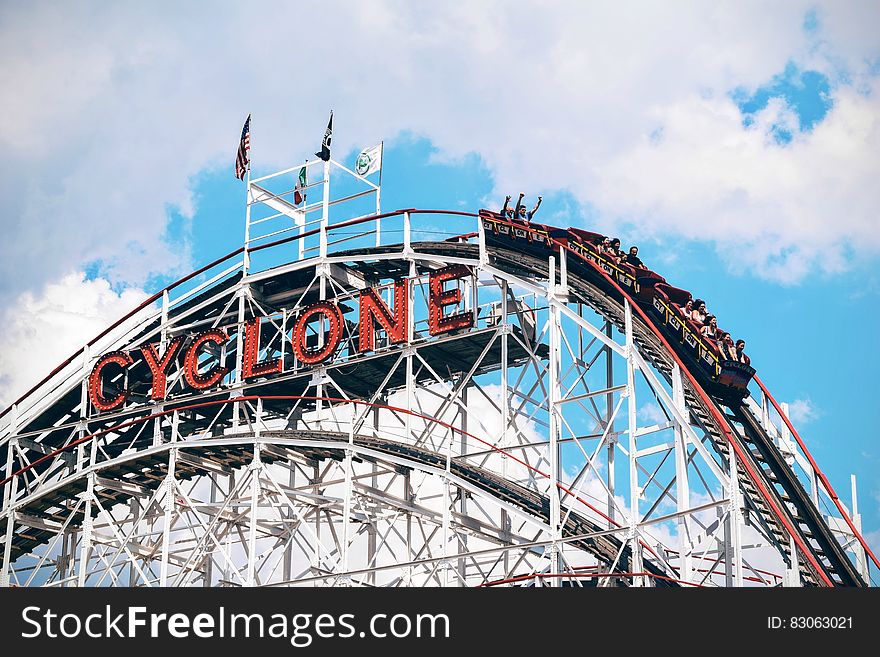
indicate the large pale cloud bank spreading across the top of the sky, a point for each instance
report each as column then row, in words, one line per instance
column 110, row 112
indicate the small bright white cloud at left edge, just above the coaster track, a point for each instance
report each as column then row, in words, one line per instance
column 41, row 330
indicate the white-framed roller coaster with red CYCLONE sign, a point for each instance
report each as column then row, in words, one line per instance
column 351, row 400
